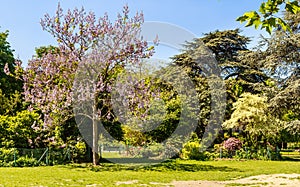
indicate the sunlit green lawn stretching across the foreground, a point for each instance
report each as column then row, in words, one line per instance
column 109, row 174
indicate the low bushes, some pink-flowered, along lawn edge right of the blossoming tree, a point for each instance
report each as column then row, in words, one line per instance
column 231, row 148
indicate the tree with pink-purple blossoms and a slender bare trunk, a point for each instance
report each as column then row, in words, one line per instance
column 110, row 47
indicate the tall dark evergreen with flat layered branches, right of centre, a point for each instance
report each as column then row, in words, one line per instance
column 240, row 73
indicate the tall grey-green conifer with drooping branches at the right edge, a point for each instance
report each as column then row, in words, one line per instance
column 279, row 55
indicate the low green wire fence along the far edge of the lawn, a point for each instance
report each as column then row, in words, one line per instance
column 50, row 156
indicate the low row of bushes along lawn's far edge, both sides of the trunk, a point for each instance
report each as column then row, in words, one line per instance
column 231, row 148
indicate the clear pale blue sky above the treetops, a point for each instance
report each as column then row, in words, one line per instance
column 22, row 18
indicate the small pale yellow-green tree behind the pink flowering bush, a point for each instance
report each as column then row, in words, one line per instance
column 252, row 116
